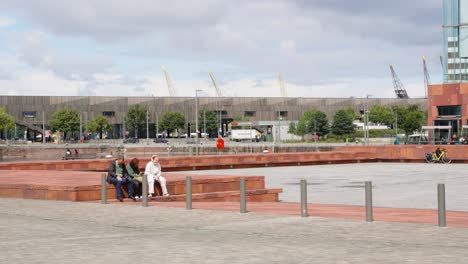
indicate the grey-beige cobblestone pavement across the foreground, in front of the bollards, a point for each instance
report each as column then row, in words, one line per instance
column 33, row 231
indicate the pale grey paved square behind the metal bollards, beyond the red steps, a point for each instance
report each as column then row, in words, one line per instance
column 398, row 185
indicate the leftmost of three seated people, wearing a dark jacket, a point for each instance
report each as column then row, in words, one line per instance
column 118, row 176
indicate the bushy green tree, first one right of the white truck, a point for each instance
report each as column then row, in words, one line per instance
column 313, row 121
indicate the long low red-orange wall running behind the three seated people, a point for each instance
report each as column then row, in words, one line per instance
column 203, row 162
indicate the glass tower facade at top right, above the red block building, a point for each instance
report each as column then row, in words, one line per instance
column 455, row 31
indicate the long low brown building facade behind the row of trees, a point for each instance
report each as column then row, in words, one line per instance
column 34, row 111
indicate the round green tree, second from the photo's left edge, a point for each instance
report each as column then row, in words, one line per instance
column 66, row 121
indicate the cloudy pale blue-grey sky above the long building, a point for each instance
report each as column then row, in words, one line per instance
column 322, row 48
